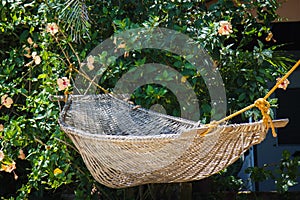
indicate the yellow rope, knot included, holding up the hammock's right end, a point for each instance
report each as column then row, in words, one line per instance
column 262, row 104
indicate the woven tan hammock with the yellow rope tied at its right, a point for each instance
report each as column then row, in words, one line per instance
column 124, row 146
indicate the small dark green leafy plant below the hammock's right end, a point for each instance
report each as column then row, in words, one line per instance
column 284, row 174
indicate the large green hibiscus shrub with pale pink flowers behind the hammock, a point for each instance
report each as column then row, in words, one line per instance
column 41, row 45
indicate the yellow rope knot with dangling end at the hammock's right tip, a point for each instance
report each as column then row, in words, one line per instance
column 264, row 107
